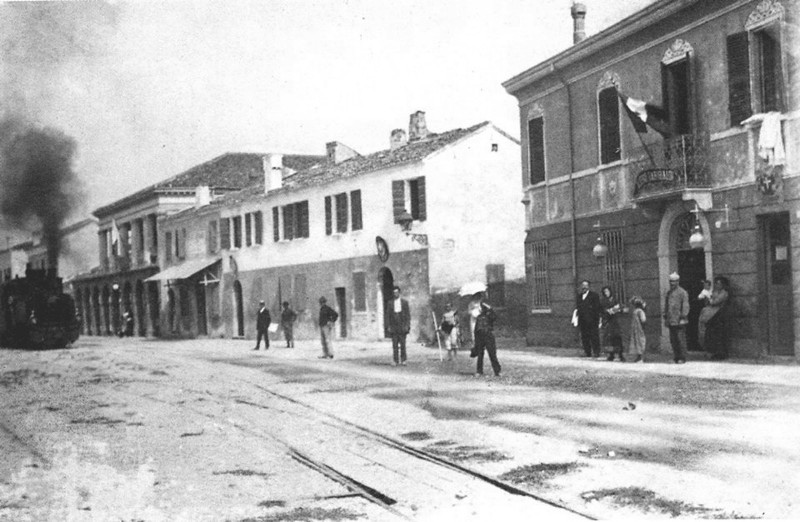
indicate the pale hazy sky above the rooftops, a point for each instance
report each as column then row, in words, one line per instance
column 149, row 89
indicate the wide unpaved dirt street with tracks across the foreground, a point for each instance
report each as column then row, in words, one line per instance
column 209, row 430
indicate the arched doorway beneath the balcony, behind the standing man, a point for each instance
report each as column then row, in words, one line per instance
column 693, row 265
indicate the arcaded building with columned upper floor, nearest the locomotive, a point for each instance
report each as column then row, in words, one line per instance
column 128, row 240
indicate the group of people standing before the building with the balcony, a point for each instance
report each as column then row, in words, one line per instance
column 601, row 313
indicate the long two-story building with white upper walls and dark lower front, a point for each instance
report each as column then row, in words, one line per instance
column 429, row 213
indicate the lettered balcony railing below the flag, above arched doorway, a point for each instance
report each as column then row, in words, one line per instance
column 670, row 167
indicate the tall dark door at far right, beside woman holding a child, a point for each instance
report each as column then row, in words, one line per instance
column 778, row 282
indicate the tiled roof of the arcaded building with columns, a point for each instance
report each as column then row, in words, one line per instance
column 231, row 171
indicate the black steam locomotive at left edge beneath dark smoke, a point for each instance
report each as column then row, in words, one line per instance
column 36, row 313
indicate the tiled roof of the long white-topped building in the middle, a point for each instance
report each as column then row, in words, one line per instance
column 321, row 174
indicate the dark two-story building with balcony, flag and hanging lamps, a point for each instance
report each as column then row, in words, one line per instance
column 669, row 142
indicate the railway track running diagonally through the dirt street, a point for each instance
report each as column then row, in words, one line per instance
column 403, row 480
